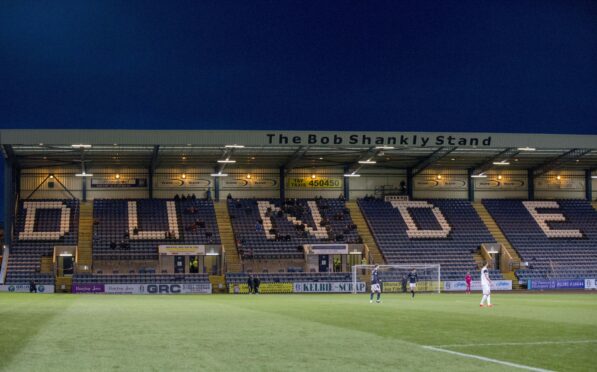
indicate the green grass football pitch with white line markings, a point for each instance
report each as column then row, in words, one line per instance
column 297, row 332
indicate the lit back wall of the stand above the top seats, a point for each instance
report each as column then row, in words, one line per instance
column 299, row 183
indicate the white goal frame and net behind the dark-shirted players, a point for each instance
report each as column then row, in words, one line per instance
column 429, row 277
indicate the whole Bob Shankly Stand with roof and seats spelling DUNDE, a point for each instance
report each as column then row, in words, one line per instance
column 292, row 210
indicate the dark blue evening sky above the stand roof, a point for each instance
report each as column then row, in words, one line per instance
column 503, row 66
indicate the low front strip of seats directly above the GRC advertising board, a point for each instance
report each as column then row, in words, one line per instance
column 139, row 278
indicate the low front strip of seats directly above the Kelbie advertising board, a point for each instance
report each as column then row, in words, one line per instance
column 241, row 278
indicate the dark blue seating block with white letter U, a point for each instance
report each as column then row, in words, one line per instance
column 133, row 229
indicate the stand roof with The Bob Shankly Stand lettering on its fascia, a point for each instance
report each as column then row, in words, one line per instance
column 300, row 149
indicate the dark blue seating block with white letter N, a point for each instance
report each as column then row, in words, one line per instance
column 287, row 226
